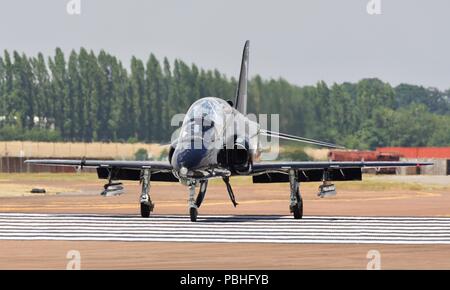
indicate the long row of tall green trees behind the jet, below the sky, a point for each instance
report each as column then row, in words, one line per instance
column 93, row 97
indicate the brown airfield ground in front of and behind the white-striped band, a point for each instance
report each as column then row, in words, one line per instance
column 79, row 193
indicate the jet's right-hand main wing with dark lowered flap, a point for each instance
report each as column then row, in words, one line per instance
column 270, row 172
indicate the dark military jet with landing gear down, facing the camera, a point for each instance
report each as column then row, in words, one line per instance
column 218, row 140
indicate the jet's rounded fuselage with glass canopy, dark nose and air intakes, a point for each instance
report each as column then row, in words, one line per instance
column 215, row 140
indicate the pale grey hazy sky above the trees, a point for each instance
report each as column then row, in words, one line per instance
column 302, row 41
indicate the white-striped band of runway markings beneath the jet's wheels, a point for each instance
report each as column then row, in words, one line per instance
column 226, row 229
